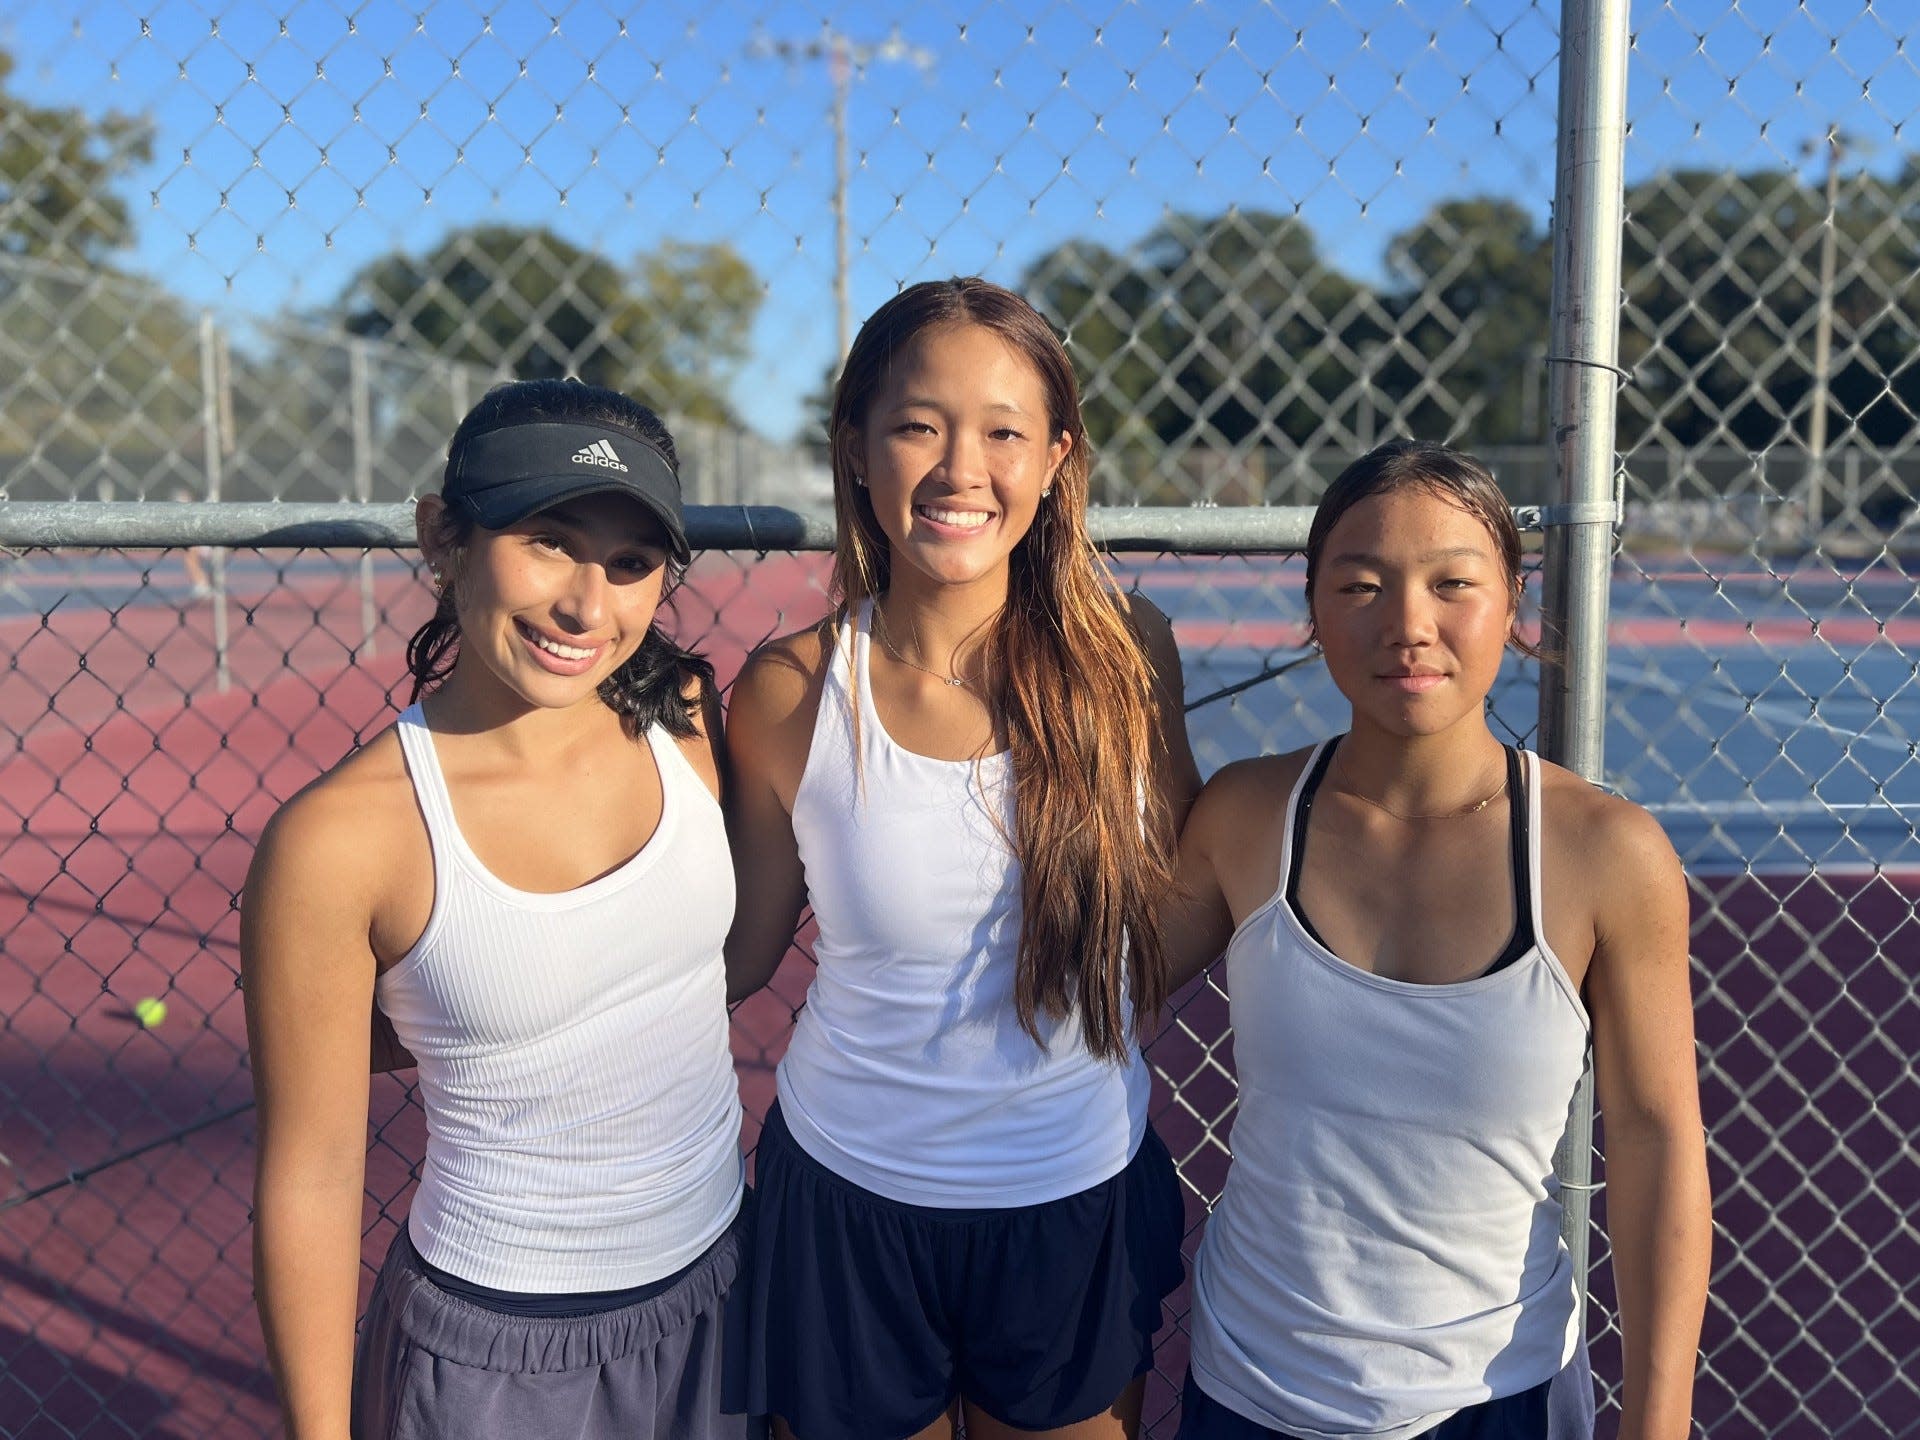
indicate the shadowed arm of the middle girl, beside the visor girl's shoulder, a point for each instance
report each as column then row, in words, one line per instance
column 771, row 723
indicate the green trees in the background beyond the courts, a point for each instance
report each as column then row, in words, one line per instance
column 1226, row 331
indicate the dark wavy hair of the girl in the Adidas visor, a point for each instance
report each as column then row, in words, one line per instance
column 652, row 688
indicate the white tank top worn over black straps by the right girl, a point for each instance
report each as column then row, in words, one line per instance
column 1387, row 1249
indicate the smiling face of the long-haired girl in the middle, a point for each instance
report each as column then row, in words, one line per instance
column 955, row 450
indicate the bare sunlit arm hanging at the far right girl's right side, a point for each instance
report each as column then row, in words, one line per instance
column 1648, row 1086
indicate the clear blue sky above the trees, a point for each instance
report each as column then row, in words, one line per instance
column 291, row 155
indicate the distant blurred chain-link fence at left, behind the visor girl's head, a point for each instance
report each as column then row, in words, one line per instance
column 112, row 391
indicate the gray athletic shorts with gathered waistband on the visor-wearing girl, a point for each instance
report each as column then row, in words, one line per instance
column 431, row 1366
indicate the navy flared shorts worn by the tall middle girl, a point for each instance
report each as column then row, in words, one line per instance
column 871, row 1318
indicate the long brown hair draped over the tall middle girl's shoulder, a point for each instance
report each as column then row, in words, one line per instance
column 1092, row 828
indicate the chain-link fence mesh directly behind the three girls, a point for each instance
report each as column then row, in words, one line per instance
column 272, row 254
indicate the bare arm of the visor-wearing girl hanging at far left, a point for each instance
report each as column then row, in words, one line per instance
column 308, row 972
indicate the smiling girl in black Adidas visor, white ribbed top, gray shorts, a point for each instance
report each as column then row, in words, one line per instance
column 531, row 875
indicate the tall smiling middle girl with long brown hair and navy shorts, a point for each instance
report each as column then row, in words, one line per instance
column 972, row 773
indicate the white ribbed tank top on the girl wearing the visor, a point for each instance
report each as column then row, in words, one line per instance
column 583, row 1118
